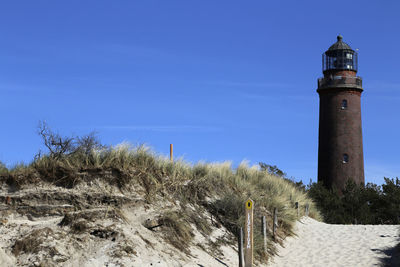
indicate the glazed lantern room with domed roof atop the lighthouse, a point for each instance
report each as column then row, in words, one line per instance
column 339, row 56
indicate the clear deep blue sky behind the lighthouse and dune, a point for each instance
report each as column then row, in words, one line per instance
column 221, row 80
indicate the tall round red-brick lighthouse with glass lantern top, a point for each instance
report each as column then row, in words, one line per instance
column 340, row 148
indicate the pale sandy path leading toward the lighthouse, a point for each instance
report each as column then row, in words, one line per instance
column 320, row 244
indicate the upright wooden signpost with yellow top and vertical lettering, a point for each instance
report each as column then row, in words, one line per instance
column 248, row 236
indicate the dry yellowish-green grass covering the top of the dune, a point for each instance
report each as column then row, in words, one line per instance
column 216, row 188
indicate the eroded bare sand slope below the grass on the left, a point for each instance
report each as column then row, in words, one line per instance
column 103, row 227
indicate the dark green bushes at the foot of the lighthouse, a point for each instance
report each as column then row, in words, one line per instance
column 359, row 204
